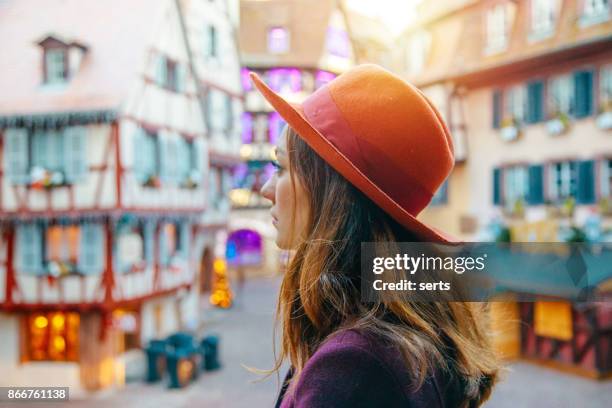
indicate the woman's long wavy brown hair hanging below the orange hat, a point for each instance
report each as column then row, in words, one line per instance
column 320, row 292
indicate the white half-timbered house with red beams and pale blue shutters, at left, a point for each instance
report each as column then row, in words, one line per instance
column 114, row 144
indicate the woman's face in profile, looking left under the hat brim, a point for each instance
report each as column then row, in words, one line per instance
column 289, row 200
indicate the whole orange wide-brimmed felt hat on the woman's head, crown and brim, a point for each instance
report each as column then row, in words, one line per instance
column 381, row 134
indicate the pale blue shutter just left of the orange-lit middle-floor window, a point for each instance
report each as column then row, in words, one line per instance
column 29, row 249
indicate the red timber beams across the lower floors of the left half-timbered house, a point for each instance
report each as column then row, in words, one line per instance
column 108, row 303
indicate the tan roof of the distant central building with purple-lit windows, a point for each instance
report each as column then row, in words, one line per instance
column 306, row 20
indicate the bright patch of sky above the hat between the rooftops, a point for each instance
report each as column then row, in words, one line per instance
column 396, row 14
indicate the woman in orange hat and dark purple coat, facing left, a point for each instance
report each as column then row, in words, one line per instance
column 360, row 158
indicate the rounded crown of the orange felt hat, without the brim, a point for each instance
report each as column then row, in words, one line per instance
column 388, row 129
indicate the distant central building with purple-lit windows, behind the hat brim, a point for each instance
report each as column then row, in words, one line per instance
column 295, row 47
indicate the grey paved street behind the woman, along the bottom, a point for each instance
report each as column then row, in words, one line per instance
column 246, row 332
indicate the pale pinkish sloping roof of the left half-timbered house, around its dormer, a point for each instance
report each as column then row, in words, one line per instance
column 116, row 32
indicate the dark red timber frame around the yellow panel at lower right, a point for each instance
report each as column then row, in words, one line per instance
column 588, row 352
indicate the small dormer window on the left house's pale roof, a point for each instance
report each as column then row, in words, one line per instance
column 61, row 58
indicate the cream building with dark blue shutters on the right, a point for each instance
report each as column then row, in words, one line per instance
column 525, row 89
